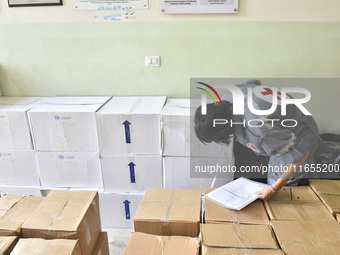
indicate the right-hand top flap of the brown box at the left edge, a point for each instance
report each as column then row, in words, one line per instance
column 14, row 218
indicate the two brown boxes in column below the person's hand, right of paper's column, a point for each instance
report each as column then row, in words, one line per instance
column 301, row 223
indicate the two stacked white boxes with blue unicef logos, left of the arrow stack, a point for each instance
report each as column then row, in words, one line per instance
column 66, row 142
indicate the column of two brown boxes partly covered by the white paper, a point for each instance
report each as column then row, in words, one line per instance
column 228, row 231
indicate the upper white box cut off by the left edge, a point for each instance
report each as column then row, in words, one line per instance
column 15, row 131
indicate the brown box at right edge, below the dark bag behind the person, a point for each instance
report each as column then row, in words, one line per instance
column 329, row 193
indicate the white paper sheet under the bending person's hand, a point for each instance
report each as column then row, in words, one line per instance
column 236, row 194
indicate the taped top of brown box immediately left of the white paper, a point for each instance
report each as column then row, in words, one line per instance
column 170, row 205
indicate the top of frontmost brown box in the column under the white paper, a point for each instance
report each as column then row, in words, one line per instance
column 232, row 235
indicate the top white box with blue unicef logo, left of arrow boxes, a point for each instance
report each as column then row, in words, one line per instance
column 66, row 126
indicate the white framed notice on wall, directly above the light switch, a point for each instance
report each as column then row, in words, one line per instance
column 199, row 6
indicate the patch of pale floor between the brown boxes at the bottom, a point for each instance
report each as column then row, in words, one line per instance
column 118, row 239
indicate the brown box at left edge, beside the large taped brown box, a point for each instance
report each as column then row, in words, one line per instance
column 15, row 209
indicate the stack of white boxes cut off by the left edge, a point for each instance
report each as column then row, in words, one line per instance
column 18, row 166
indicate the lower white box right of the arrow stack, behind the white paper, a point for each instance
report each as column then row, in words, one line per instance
column 177, row 173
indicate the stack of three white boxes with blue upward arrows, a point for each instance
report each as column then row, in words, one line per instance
column 129, row 130
